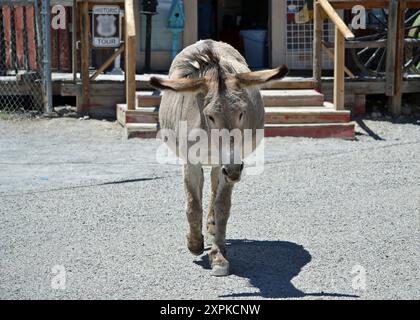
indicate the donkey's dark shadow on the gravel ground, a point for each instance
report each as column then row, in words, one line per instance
column 269, row 266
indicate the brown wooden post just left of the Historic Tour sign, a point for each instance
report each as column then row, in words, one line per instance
column 85, row 52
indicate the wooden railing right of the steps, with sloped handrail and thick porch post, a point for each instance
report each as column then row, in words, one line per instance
column 394, row 44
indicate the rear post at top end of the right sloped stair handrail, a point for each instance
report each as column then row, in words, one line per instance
column 317, row 50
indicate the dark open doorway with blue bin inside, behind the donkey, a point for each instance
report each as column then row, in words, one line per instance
column 244, row 24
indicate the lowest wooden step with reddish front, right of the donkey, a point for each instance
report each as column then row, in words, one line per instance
column 314, row 130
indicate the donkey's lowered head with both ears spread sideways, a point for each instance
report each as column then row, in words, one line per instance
column 226, row 105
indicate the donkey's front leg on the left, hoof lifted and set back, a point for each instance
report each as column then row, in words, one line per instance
column 193, row 182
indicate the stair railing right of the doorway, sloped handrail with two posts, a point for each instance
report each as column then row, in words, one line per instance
column 342, row 33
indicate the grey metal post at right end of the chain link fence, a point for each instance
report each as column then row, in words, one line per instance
column 46, row 14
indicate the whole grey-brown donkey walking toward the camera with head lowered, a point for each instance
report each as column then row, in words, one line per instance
column 212, row 93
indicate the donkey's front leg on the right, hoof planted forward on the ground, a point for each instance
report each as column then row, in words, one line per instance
column 218, row 257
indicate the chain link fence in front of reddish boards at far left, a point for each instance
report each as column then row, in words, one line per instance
column 21, row 52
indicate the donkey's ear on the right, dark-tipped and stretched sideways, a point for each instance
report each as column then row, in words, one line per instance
column 259, row 78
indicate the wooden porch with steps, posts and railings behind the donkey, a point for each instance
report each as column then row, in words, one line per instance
column 97, row 93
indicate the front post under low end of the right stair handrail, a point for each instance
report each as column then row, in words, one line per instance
column 339, row 61
